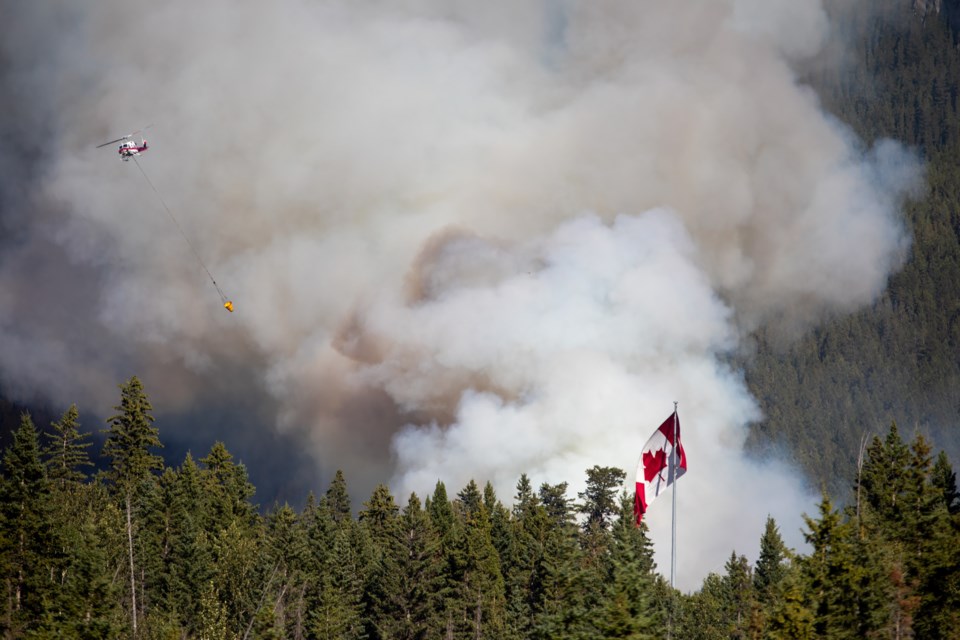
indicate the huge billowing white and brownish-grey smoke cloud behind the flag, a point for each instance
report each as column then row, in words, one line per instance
column 464, row 240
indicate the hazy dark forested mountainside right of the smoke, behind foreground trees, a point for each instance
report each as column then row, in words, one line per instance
column 898, row 361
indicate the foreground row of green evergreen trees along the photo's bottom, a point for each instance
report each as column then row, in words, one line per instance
column 146, row 551
